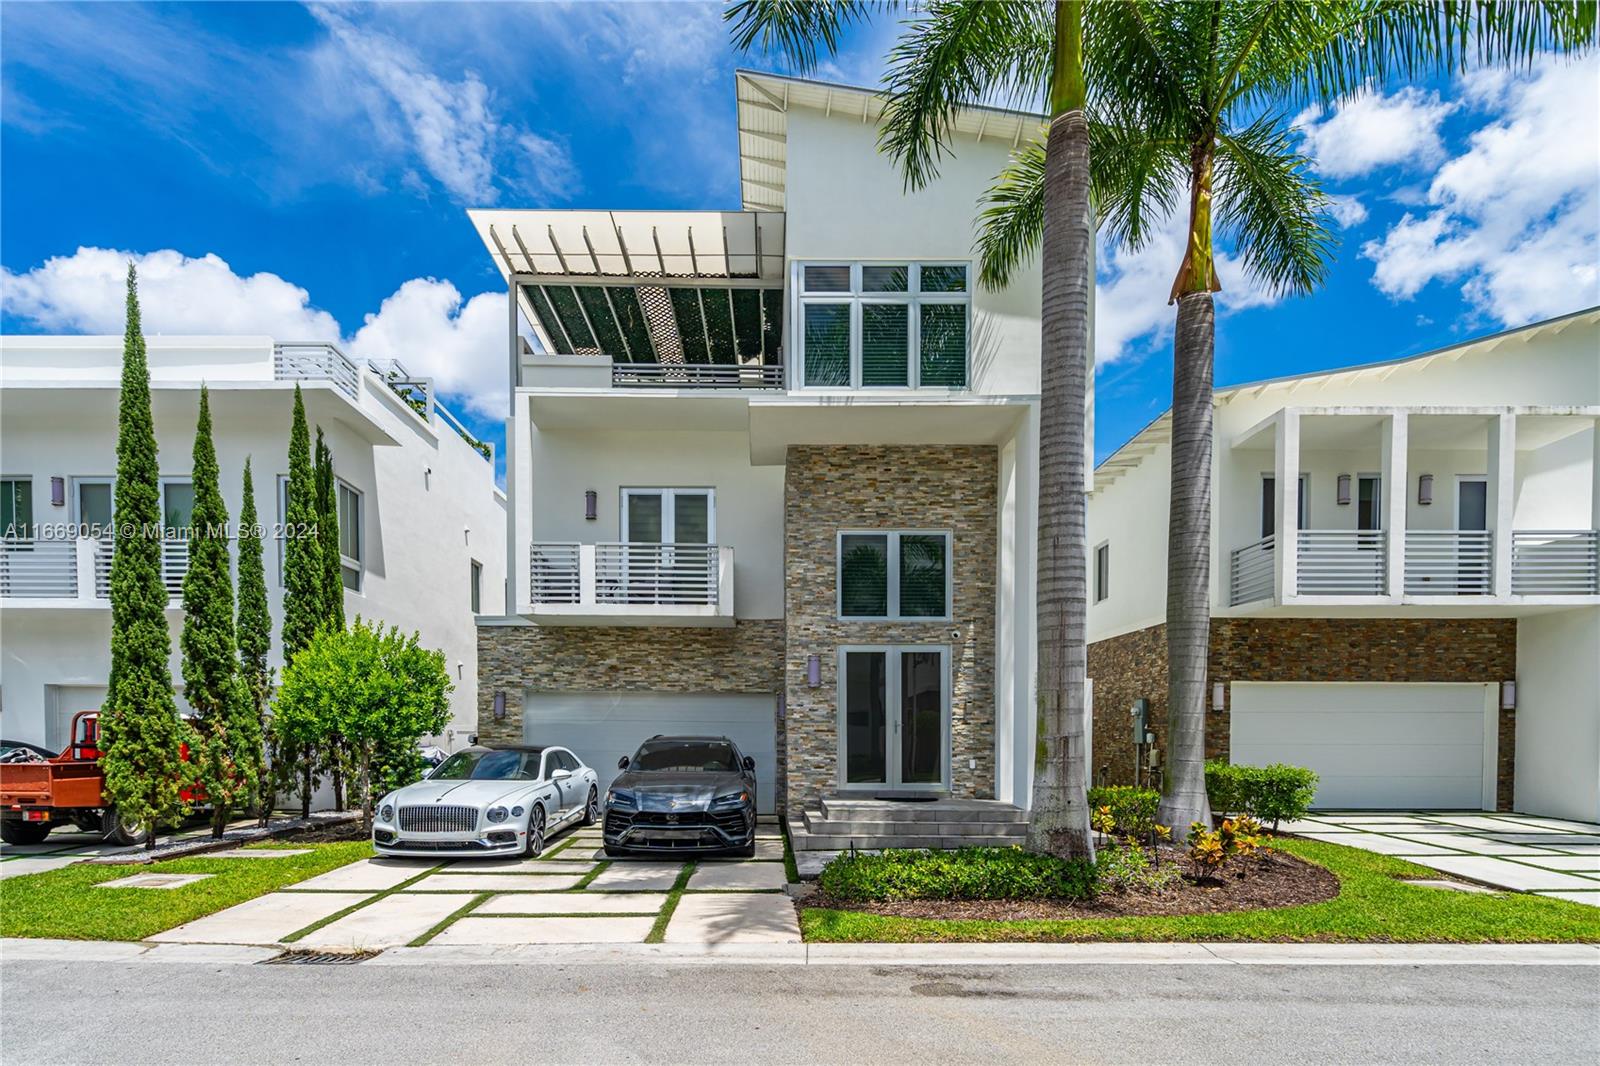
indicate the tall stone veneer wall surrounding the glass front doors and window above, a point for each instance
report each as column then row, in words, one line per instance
column 831, row 489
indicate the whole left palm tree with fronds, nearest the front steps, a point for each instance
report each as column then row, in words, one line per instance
column 958, row 54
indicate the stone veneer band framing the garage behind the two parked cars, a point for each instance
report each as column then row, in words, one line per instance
column 743, row 659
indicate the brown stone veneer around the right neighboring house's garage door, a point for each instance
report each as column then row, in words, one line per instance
column 1298, row 651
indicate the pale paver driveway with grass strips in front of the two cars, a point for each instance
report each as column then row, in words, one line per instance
column 570, row 896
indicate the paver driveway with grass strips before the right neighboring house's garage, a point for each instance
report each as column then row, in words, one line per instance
column 1548, row 857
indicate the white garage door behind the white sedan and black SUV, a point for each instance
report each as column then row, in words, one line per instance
column 604, row 727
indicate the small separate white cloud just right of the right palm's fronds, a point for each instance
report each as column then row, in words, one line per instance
column 1374, row 130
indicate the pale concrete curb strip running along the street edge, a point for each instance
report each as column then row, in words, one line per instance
column 842, row 955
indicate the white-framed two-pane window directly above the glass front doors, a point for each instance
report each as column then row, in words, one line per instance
column 894, row 575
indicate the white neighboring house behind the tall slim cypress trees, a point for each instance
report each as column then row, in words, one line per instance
column 422, row 523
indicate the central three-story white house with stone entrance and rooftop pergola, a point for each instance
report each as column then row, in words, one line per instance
column 772, row 473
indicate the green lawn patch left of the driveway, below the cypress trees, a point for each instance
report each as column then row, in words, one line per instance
column 65, row 904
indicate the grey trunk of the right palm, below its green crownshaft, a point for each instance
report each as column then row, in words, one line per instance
column 1190, row 566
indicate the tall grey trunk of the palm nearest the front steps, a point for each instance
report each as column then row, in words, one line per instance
column 1060, row 822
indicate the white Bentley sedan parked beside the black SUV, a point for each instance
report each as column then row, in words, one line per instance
column 489, row 801
